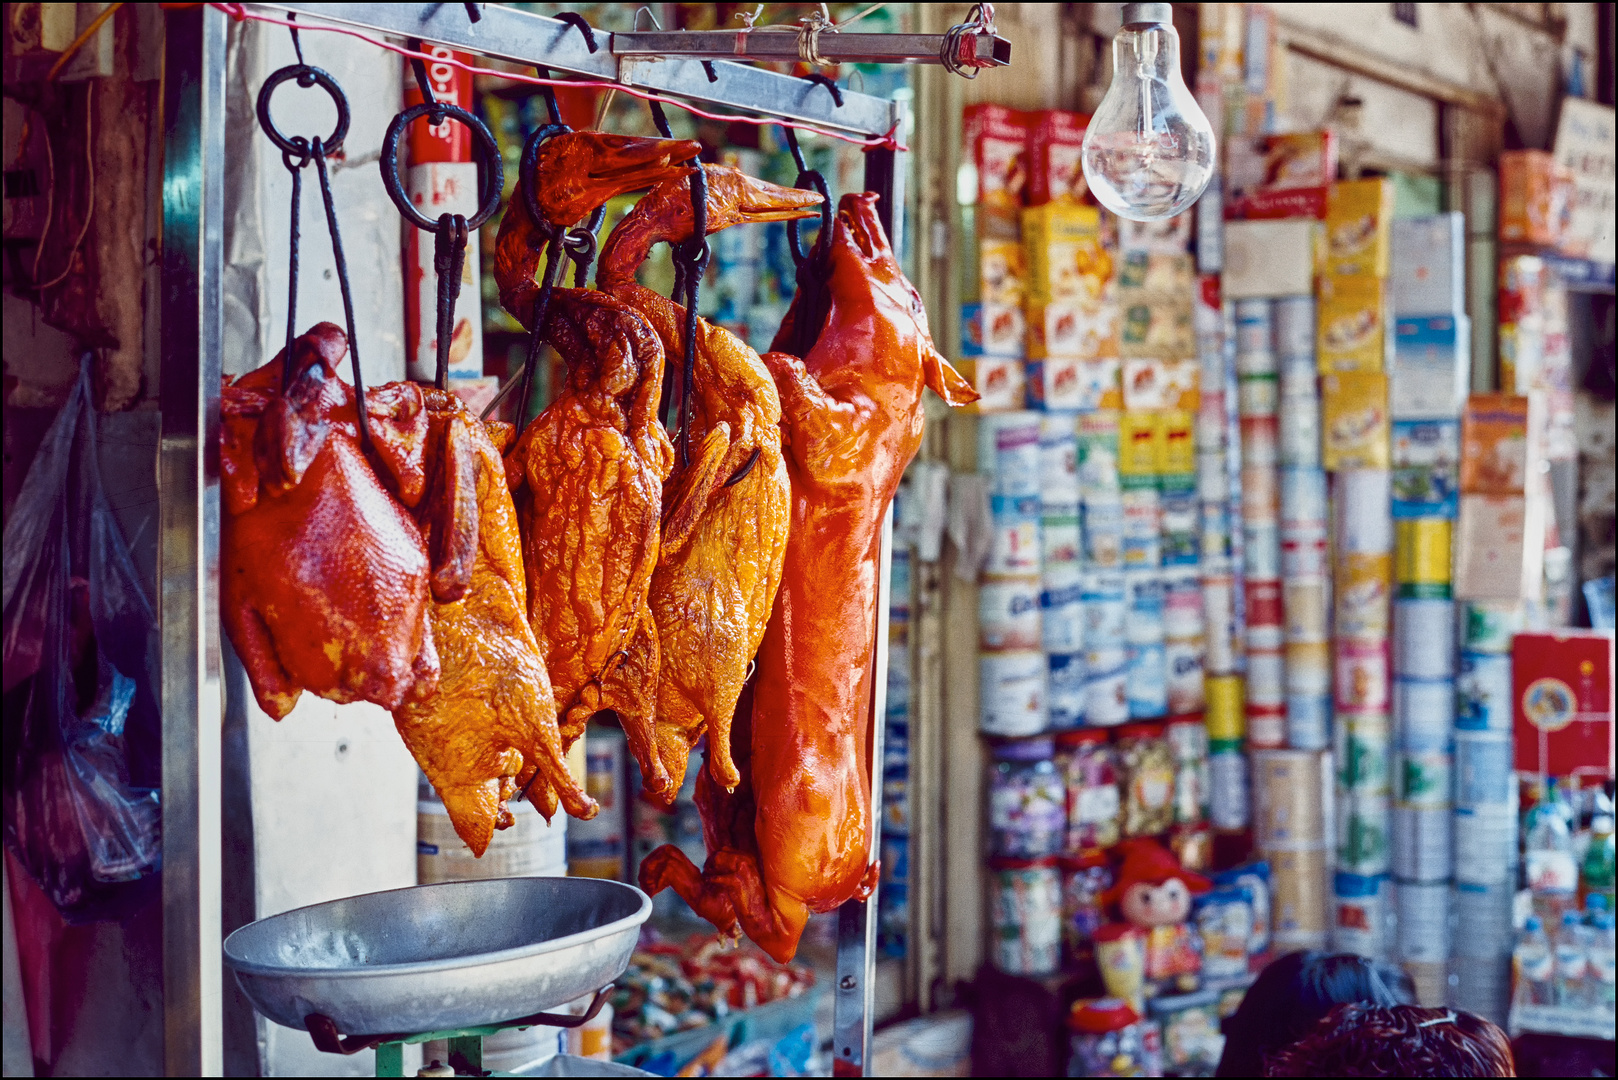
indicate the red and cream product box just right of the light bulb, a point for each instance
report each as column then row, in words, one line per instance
column 1281, row 176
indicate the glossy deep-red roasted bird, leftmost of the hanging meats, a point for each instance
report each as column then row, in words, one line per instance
column 324, row 577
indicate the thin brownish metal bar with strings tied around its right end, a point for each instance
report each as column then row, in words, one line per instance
column 834, row 48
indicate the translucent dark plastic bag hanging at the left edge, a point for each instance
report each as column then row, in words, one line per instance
column 80, row 705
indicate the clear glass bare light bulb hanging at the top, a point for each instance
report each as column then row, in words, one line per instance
column 1150, row 150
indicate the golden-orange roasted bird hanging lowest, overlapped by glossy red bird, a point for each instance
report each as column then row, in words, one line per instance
column 491, row 725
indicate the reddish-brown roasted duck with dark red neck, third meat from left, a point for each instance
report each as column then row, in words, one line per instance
column 590, row 470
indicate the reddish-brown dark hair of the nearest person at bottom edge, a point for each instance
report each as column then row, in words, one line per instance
column 1363, row 1040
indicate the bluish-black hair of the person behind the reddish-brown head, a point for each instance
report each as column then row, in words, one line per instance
column 1294, row 993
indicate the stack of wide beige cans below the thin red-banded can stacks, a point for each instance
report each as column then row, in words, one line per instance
column 1290, row 833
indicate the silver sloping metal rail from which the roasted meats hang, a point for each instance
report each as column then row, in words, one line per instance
column 535, row 40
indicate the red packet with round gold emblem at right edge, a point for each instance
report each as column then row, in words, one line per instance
column 1562, row 692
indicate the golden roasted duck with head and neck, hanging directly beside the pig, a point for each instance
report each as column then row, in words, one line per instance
column 726, row 514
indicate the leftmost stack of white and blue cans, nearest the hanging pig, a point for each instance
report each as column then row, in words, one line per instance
column 1010, row 631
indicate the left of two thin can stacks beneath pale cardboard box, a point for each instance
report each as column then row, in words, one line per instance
column 1258, row 370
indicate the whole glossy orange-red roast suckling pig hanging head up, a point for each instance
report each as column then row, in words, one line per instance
column 795, row 838
